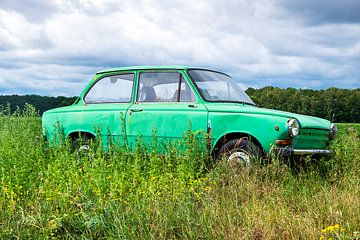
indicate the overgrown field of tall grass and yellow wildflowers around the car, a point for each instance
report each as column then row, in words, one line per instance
column 53, row 193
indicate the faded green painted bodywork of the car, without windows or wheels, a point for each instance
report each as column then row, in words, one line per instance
column 171, row 119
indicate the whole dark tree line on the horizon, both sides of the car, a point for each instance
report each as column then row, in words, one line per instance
column 338, row 105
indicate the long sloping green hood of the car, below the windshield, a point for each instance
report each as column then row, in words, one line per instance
column 304, row 120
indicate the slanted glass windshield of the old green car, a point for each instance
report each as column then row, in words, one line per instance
column 218, row 87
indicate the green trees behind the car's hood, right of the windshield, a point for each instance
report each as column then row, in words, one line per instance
column 337, row 105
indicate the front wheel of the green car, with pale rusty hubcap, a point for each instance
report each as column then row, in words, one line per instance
column 241, row 152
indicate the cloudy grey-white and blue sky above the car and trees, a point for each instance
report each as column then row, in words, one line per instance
column 54, row 47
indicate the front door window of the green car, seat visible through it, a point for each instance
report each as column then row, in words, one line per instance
column 164, row 87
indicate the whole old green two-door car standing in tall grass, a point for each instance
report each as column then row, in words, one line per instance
column 127, row 102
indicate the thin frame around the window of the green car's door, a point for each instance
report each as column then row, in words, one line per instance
column 181, row 79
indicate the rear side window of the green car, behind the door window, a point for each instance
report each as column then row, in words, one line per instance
column 112, row 89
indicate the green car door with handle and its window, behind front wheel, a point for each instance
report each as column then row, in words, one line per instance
column 165, row 105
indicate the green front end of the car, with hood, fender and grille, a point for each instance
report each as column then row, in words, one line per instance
column 260, row 123
